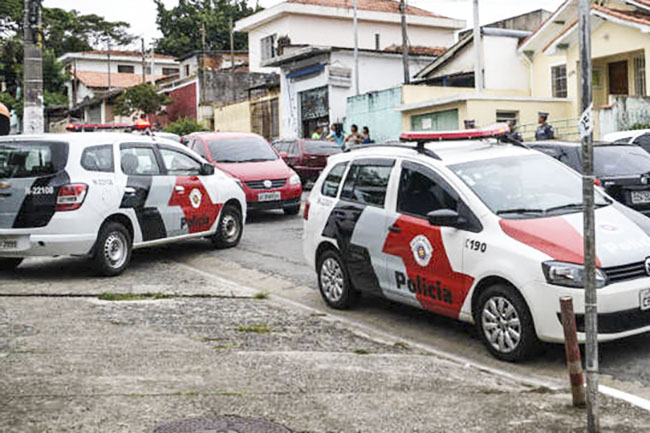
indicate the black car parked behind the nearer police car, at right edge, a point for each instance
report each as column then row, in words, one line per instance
column 623, row 170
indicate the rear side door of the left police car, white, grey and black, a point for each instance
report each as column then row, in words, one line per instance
column 146, row 190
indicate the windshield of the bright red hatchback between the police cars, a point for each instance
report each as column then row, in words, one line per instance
column 247, row 149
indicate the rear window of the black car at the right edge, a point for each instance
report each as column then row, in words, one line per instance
column 620, row 161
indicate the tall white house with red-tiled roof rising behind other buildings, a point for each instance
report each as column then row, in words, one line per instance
column 330, row 22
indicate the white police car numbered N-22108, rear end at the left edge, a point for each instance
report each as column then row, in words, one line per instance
column 102, row 194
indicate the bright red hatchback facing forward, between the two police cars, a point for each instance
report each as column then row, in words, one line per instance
column 267, row 180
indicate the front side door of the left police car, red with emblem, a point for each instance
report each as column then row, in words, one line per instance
column 193, row 206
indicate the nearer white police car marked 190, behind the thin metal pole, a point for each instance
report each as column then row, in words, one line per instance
column 482, row 231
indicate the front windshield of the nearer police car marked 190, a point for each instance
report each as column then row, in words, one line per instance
column 533, row 186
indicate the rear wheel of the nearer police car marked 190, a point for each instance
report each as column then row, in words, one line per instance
column 334, row 281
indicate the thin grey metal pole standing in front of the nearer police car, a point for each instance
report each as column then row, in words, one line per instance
column 589, row 235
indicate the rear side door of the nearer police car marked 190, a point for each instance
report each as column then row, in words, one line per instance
column 358, row 219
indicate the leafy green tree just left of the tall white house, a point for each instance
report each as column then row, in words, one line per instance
column 181, row 25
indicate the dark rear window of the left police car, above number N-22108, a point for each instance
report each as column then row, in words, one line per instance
column 32, row 158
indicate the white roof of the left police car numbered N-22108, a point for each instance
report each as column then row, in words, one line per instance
column 93, row 138
